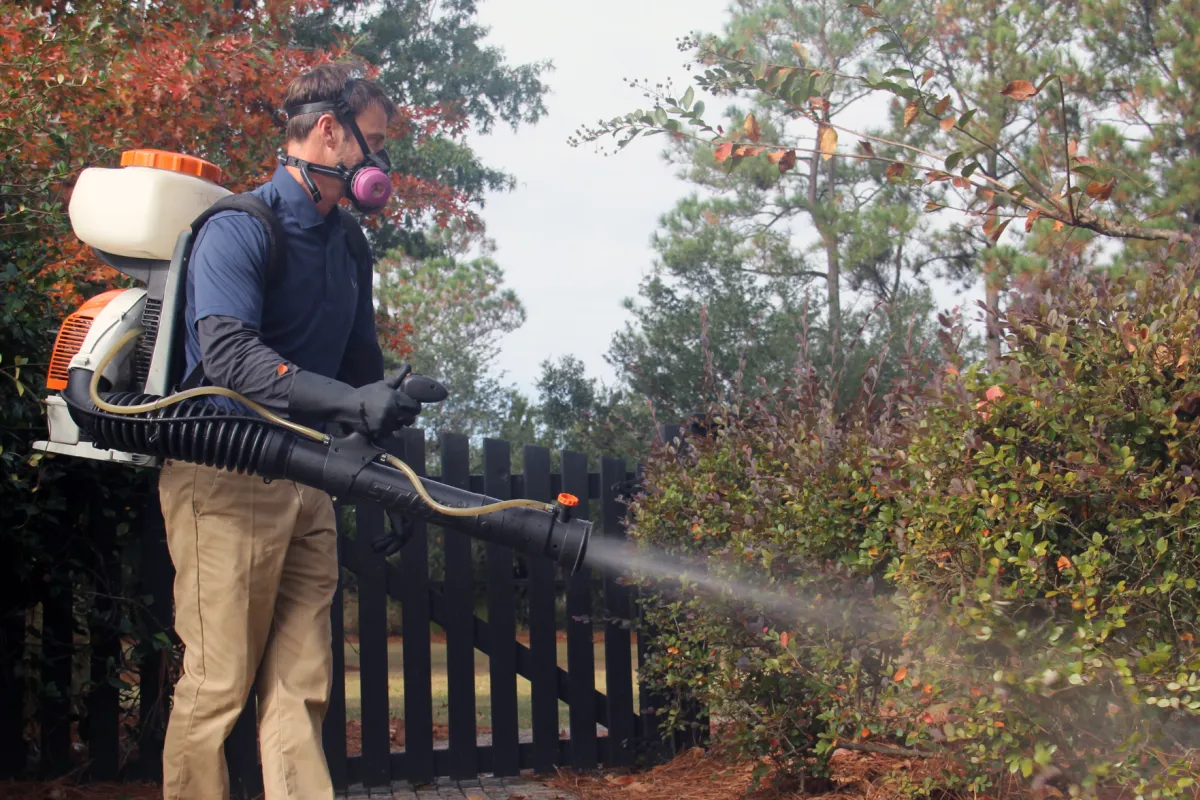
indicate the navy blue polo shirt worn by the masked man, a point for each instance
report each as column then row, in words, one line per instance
column 320, row 316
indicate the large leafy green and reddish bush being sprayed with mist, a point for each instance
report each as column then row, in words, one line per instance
column 998, row 572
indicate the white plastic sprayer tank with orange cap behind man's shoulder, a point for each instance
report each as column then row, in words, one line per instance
column 140, row 209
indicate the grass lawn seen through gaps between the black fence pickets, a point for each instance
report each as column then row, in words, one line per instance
column 483, row 684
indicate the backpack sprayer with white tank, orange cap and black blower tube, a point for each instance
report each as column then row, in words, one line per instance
column 119, row 359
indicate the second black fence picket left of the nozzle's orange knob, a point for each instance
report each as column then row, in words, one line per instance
column 502, row 621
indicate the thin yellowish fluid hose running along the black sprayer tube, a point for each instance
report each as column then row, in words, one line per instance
column 146, row 408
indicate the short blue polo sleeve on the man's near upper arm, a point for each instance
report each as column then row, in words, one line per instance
column 229, row 268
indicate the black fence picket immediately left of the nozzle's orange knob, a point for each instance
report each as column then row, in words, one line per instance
column 543, row 646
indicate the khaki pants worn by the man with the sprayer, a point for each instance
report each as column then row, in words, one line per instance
column 256, row 570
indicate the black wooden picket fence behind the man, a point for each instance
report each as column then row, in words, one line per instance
column 605, row 729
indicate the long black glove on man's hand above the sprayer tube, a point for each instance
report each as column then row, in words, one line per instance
column 376, row 410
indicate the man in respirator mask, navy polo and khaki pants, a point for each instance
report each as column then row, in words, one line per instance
column 257, row 563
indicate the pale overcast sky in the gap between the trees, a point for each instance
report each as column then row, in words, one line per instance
column 574, row 237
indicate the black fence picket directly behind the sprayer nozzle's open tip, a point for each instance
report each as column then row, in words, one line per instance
column 580, row 657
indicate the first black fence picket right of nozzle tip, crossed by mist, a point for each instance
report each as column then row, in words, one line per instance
column 619, row 654
